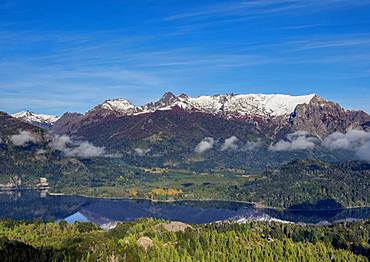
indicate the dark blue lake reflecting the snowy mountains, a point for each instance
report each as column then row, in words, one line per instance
column 32, row 204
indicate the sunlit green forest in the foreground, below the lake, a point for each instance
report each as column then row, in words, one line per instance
column 155, row 240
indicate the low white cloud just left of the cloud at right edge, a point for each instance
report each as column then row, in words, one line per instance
column 300, row 140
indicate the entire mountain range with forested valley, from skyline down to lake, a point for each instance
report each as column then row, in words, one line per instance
column 277, row 150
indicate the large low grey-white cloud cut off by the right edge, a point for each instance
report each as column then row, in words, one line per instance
column 354, row 140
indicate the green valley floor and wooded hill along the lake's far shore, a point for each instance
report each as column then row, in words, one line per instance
column 299, row 184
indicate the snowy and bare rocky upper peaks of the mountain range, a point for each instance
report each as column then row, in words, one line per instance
column 274, row 114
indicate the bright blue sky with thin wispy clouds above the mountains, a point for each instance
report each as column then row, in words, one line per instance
column 58, row 56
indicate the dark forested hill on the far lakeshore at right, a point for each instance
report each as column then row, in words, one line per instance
column 308, row 182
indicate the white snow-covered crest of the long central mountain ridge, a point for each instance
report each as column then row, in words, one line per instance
column 261, row 105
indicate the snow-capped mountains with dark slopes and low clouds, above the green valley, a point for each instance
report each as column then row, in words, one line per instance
column 227, row 131
